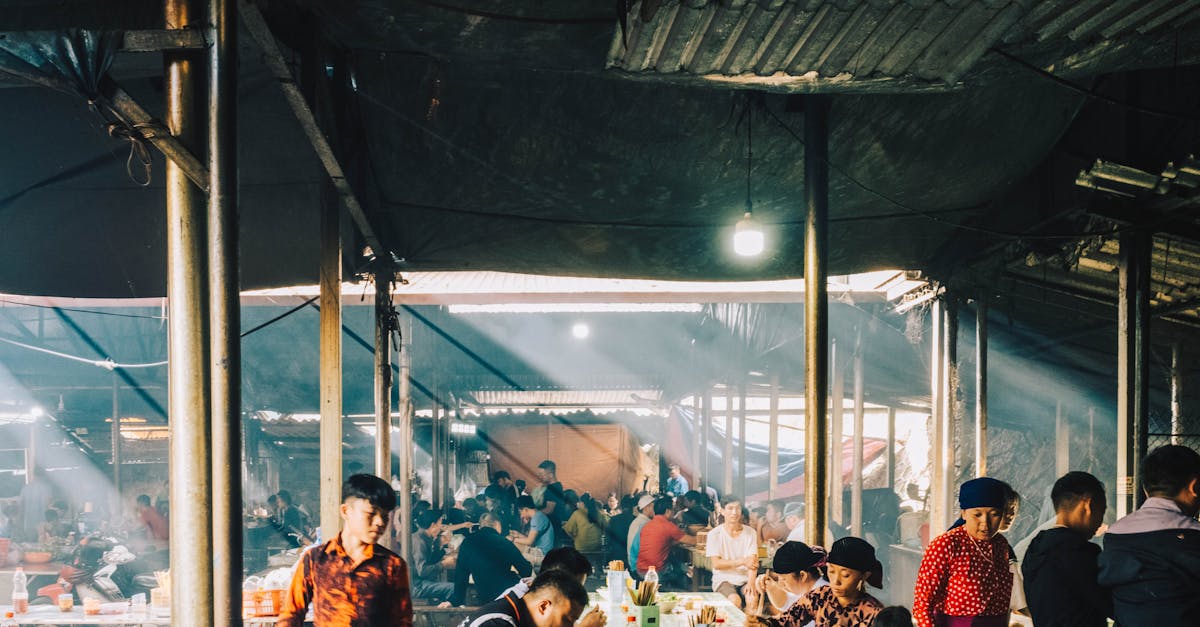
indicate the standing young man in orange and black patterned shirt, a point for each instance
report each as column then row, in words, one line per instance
column 351, row 581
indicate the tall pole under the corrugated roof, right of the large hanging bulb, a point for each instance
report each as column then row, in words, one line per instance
column 817, row 313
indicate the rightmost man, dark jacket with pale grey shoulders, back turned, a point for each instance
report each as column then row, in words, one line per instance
column 1151, row 558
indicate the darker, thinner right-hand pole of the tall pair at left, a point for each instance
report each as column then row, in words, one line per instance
column 225, row 317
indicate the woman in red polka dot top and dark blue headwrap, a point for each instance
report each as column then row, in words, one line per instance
column 964, row 578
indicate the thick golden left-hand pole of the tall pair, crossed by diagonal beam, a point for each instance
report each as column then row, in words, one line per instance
column 188, row 341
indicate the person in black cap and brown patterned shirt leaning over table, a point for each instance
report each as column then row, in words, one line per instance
column 844, row 602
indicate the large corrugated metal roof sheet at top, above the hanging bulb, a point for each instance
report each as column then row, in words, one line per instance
column 826, row 44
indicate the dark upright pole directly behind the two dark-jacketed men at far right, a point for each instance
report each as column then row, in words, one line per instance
column 1133, row 365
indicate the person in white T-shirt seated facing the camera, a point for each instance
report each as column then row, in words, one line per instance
column 733, row 553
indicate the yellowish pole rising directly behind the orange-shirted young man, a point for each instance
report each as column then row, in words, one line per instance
column 331, row 367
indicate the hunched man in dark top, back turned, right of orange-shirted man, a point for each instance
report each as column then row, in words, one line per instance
column 490, row 559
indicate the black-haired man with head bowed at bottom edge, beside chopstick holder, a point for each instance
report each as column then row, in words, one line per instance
column 556, row 599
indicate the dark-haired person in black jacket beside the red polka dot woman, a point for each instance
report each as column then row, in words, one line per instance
column 1061, row 568
